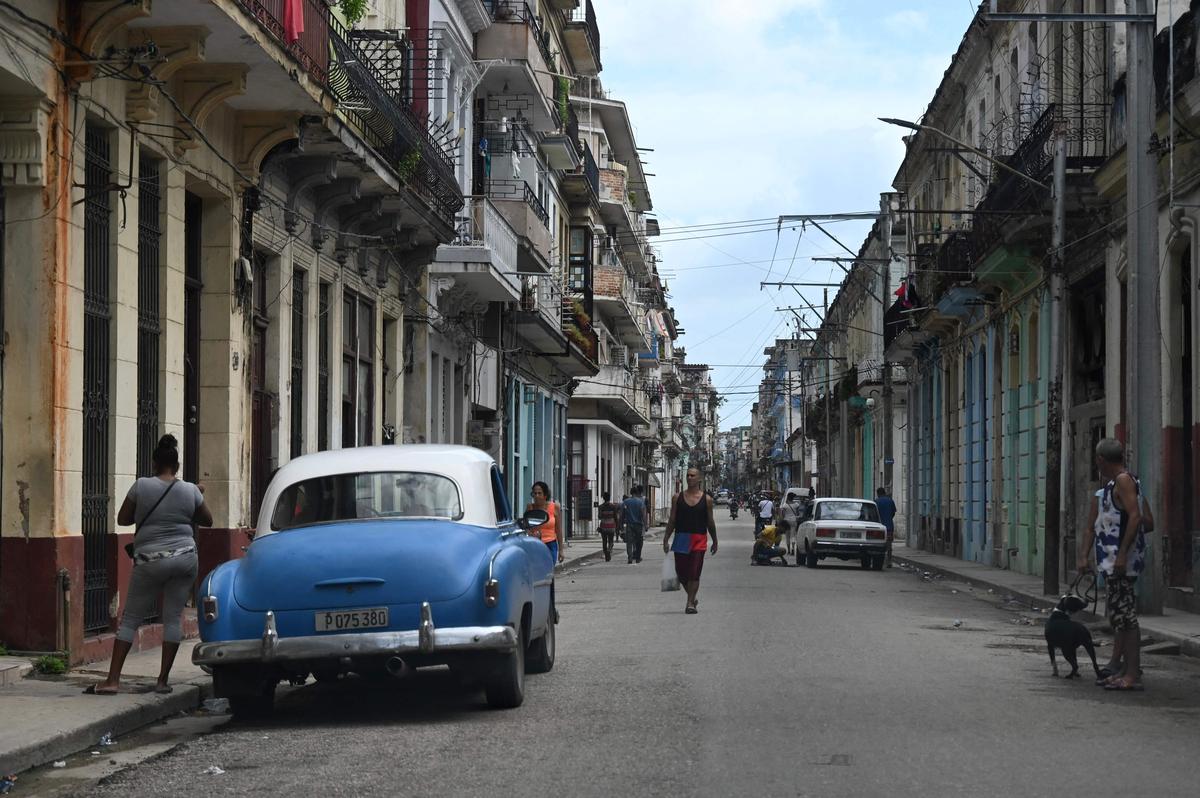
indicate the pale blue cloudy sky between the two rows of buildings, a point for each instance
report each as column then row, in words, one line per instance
column 759, row 109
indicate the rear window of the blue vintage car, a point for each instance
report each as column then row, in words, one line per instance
column 377, row 495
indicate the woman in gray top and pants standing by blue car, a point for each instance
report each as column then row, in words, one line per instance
column 164, row 511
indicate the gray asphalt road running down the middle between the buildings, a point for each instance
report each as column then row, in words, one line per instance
column 789, row 682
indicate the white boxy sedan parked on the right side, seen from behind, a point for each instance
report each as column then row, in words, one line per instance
column 848, row 530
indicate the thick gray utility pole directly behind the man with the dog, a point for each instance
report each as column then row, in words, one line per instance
column 1144, row 381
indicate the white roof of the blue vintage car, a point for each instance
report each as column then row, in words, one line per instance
column 470, row 469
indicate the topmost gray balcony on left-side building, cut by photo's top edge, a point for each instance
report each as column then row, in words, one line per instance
column 519, row 45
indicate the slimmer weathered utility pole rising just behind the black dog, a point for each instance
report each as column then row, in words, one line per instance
column 1058, row 345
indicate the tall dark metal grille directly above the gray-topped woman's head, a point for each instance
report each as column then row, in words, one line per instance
column 149, row 319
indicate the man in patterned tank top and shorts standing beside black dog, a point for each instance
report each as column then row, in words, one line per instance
column 1117, row 529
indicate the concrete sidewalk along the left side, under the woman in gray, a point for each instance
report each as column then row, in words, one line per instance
column 49, row 718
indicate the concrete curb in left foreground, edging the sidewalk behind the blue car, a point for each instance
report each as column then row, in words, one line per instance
column 121, row 724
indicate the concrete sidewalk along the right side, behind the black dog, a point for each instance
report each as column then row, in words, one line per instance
column 1173, row 627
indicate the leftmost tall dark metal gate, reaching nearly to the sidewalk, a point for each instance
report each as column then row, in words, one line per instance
column 97, row 388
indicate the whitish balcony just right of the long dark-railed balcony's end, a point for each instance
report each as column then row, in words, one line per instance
column 484, row 257
